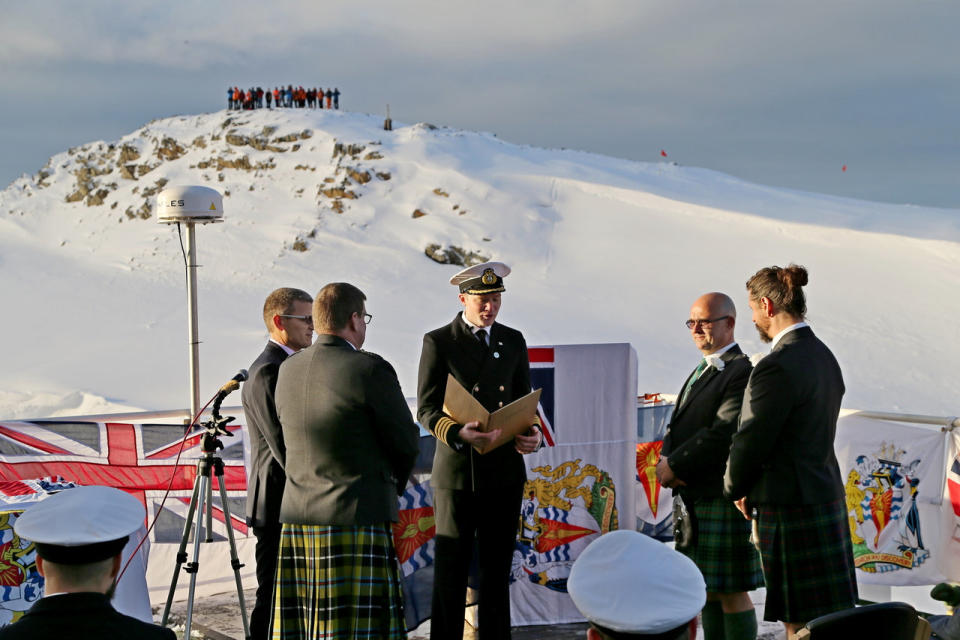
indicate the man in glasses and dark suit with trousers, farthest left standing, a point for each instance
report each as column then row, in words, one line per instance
column 287, row 314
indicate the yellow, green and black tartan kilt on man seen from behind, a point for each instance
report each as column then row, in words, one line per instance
column 338, row 582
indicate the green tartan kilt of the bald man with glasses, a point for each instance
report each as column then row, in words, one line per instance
column 723, row 552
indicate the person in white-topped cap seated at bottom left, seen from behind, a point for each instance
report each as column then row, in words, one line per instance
column 80, row 534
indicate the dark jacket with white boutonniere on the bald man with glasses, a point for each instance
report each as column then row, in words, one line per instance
column 698, row 436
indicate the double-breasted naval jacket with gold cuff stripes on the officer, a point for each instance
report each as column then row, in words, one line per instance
column 496, row 376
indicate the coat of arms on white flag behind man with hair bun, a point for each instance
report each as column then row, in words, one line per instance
column 881, row 495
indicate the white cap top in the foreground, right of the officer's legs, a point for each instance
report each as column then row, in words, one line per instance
column 628, row 582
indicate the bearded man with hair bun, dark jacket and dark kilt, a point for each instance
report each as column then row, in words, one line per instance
column 782, row 468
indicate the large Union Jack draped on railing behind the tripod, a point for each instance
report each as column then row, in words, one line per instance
column 138, row 458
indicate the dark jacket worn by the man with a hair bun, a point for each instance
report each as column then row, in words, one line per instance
column 783, row 452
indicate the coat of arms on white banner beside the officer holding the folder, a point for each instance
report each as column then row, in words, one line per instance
column 563, row 506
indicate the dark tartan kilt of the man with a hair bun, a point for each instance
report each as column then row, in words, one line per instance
column 807, row 560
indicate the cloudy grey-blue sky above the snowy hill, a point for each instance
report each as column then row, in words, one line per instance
column 780, row 94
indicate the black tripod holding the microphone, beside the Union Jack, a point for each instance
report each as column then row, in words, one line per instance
column 209, row 464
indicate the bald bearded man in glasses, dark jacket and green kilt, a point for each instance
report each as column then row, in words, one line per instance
column 692, row 463
